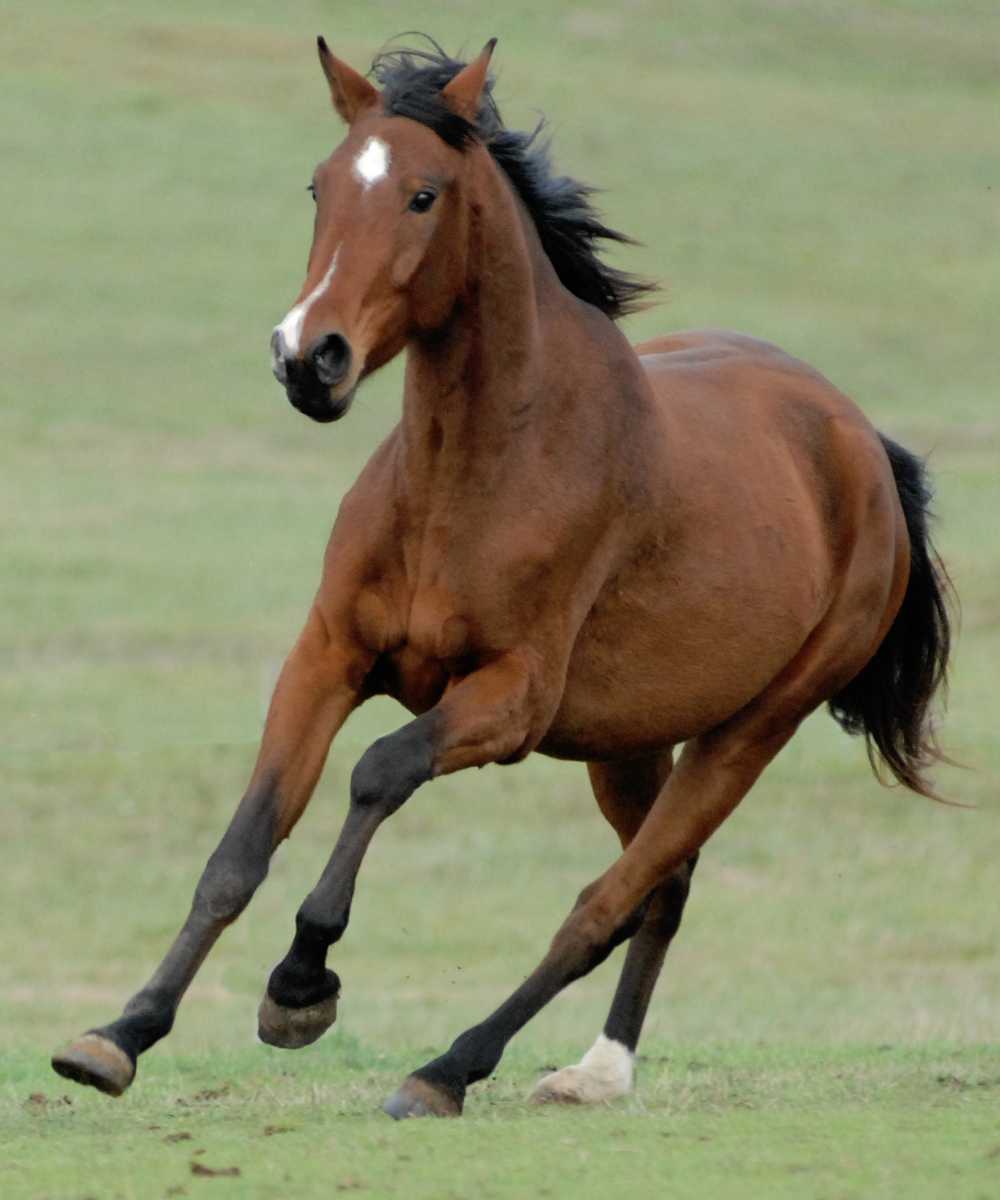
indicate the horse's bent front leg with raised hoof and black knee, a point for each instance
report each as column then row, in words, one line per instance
column 484, row 718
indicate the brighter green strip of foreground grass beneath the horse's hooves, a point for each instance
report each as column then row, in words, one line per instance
column 727, row 1123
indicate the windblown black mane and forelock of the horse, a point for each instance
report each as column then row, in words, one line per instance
column 567, row 223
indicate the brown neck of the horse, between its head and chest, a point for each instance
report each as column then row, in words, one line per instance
column 483, row 386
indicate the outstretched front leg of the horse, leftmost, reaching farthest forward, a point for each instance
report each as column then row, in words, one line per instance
column 316, row 692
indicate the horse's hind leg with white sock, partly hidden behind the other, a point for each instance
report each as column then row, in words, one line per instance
column 625, row 794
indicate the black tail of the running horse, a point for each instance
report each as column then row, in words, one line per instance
column 890, row 700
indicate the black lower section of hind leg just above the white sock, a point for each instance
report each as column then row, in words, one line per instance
column 645, row 958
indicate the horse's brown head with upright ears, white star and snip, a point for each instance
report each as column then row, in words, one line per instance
column 388, row 247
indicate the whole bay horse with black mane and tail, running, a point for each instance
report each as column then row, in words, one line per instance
column 571, row 545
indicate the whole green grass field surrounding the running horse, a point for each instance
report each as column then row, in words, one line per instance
column 829, row 1024
